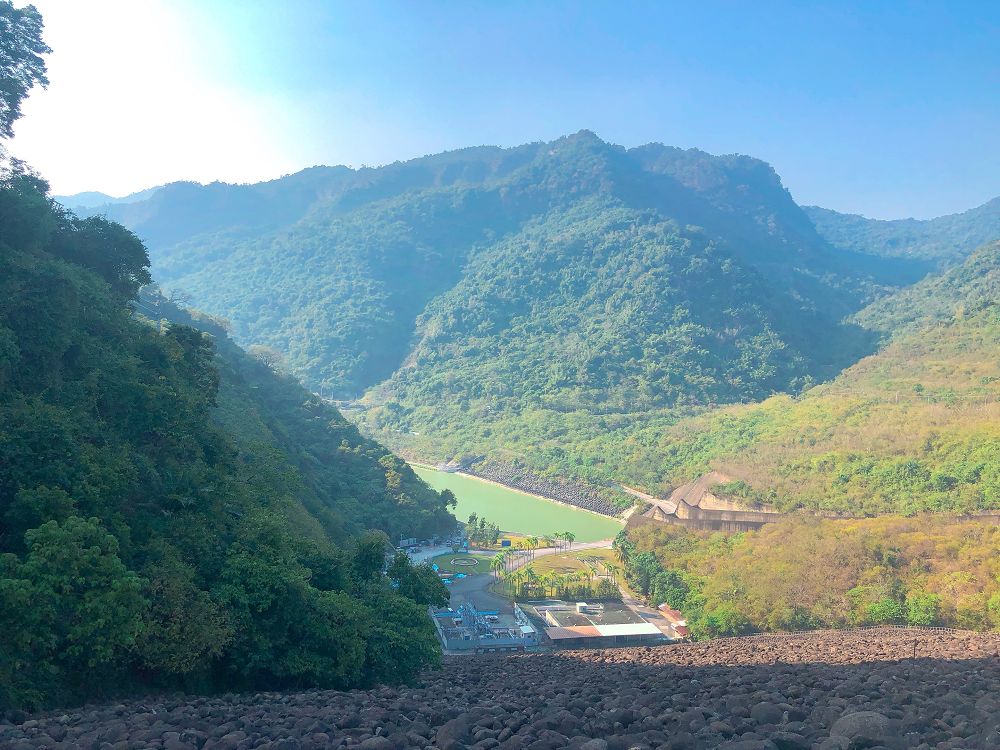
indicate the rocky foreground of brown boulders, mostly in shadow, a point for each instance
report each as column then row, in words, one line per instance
column 870, row 689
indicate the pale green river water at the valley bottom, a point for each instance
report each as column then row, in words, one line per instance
column 516, row 511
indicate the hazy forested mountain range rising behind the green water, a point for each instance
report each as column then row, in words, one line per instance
column 570, row 306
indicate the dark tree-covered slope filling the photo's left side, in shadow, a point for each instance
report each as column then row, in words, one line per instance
column 173, row 517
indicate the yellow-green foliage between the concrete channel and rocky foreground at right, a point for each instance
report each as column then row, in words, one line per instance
column 808, row 572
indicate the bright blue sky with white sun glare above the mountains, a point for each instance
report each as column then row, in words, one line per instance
column 887, row 109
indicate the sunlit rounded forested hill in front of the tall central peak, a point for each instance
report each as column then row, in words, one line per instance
column 606, row 308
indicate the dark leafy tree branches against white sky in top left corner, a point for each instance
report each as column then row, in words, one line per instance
column 21, row 63
